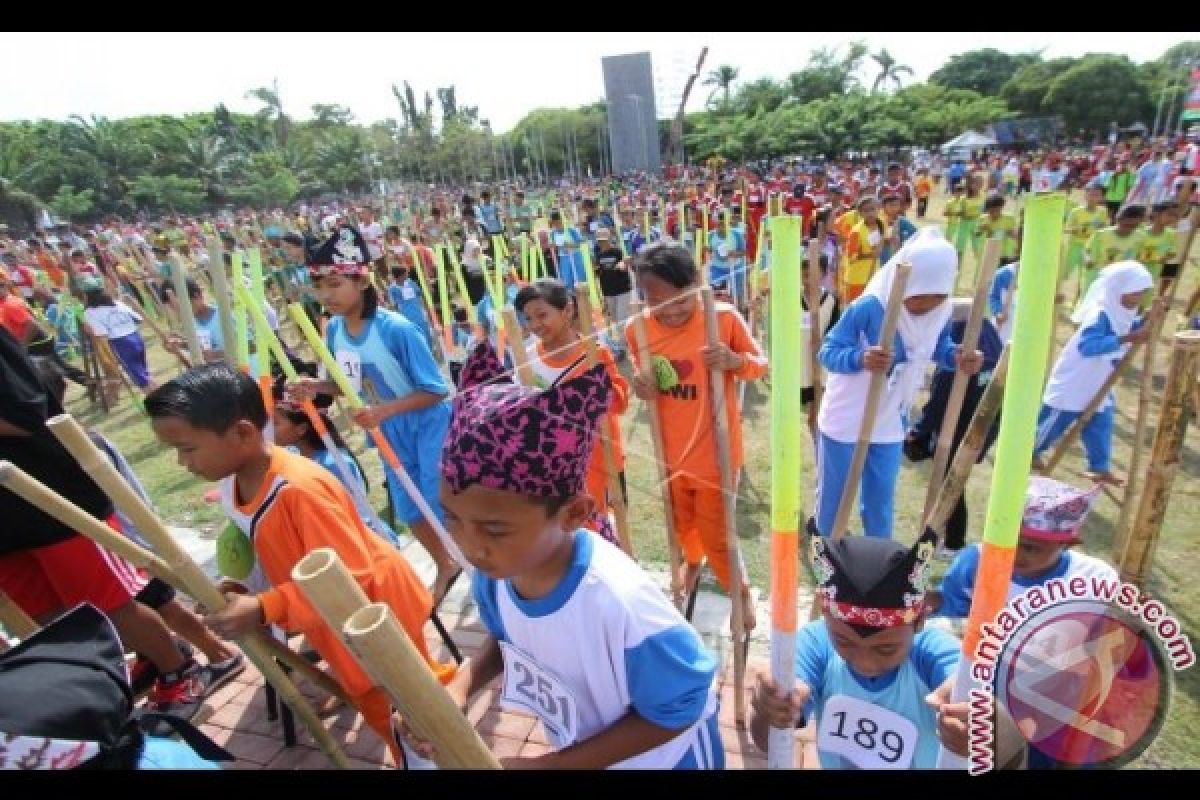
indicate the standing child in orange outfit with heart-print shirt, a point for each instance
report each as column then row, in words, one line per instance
column 668, row 278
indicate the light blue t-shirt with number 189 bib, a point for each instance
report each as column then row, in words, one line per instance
column 875, row 723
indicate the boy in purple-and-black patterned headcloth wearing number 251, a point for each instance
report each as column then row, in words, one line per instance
column 622, row 681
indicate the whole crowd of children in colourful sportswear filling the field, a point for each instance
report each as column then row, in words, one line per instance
column 508, row 476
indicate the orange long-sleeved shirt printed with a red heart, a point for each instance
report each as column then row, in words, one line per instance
column 686, row 411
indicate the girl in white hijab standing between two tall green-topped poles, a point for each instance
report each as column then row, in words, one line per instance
column 853, row 352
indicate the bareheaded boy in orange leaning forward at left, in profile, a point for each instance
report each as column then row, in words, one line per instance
column 289, row 507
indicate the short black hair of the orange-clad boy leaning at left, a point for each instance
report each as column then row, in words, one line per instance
column 211, row 398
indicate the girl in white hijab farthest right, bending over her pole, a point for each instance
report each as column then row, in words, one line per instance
column 1108, row 323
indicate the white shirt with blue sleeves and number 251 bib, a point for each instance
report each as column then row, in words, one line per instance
column 603, row 643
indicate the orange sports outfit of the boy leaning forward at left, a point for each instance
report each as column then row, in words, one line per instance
column 301, row 508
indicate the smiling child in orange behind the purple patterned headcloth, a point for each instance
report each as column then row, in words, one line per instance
column 561, row 354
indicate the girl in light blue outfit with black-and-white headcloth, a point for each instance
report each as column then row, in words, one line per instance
column 388, row 362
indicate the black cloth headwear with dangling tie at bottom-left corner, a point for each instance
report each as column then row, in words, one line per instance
column 67, row 702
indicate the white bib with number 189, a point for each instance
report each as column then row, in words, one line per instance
column 867, row 736
